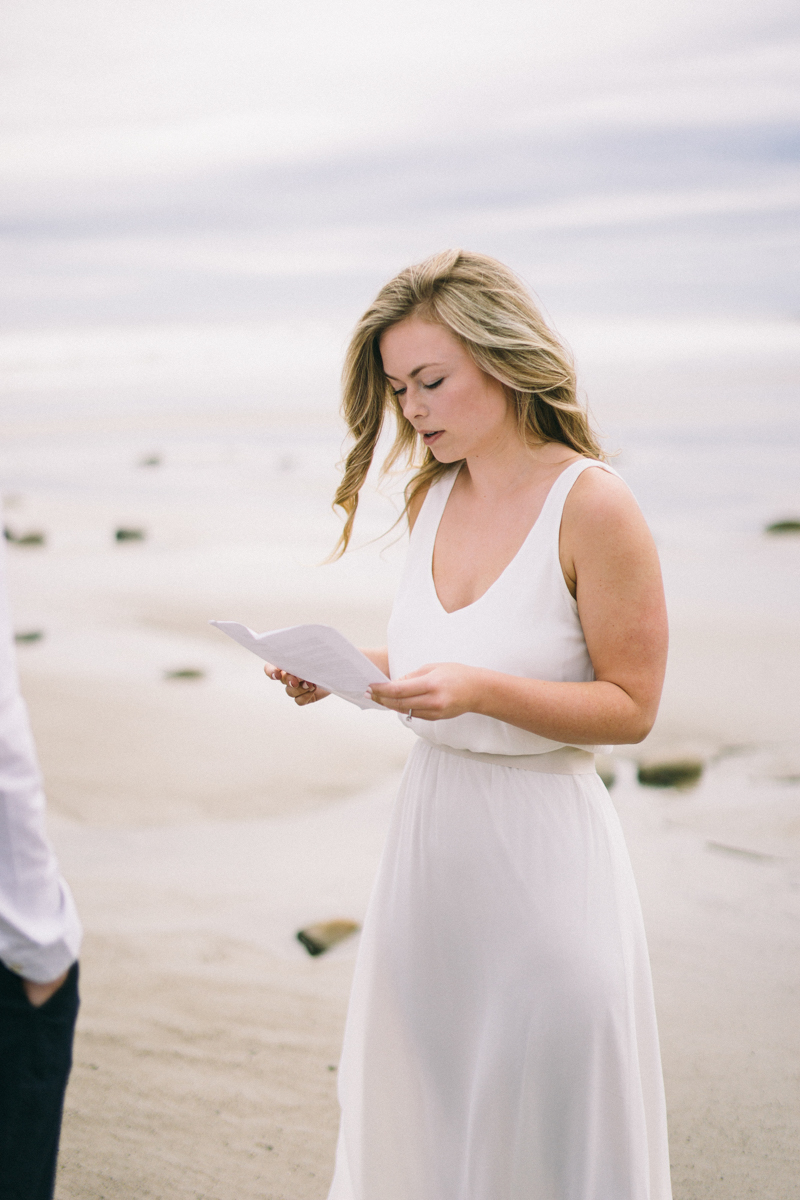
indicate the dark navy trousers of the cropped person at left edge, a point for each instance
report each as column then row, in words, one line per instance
column 35, row 1061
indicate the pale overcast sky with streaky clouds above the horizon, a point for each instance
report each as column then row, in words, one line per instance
column 240, row 161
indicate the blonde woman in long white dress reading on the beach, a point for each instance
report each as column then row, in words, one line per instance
column 502, row 1041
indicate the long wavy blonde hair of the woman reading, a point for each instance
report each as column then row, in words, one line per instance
column 494, row 316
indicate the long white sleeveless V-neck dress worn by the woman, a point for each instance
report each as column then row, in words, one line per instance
column 501, row 1041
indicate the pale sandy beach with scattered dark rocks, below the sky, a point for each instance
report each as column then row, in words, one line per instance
column 202, row 820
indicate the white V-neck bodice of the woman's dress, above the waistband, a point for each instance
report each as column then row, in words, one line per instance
column 525, row 625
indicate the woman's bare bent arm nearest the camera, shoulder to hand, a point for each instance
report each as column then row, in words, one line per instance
column 610, row 560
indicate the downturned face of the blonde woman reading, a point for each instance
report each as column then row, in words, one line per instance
column 458, row 410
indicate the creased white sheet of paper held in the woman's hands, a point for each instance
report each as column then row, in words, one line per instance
column 317, row 653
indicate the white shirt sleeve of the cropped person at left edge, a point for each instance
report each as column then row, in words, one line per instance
column 40, row 931
